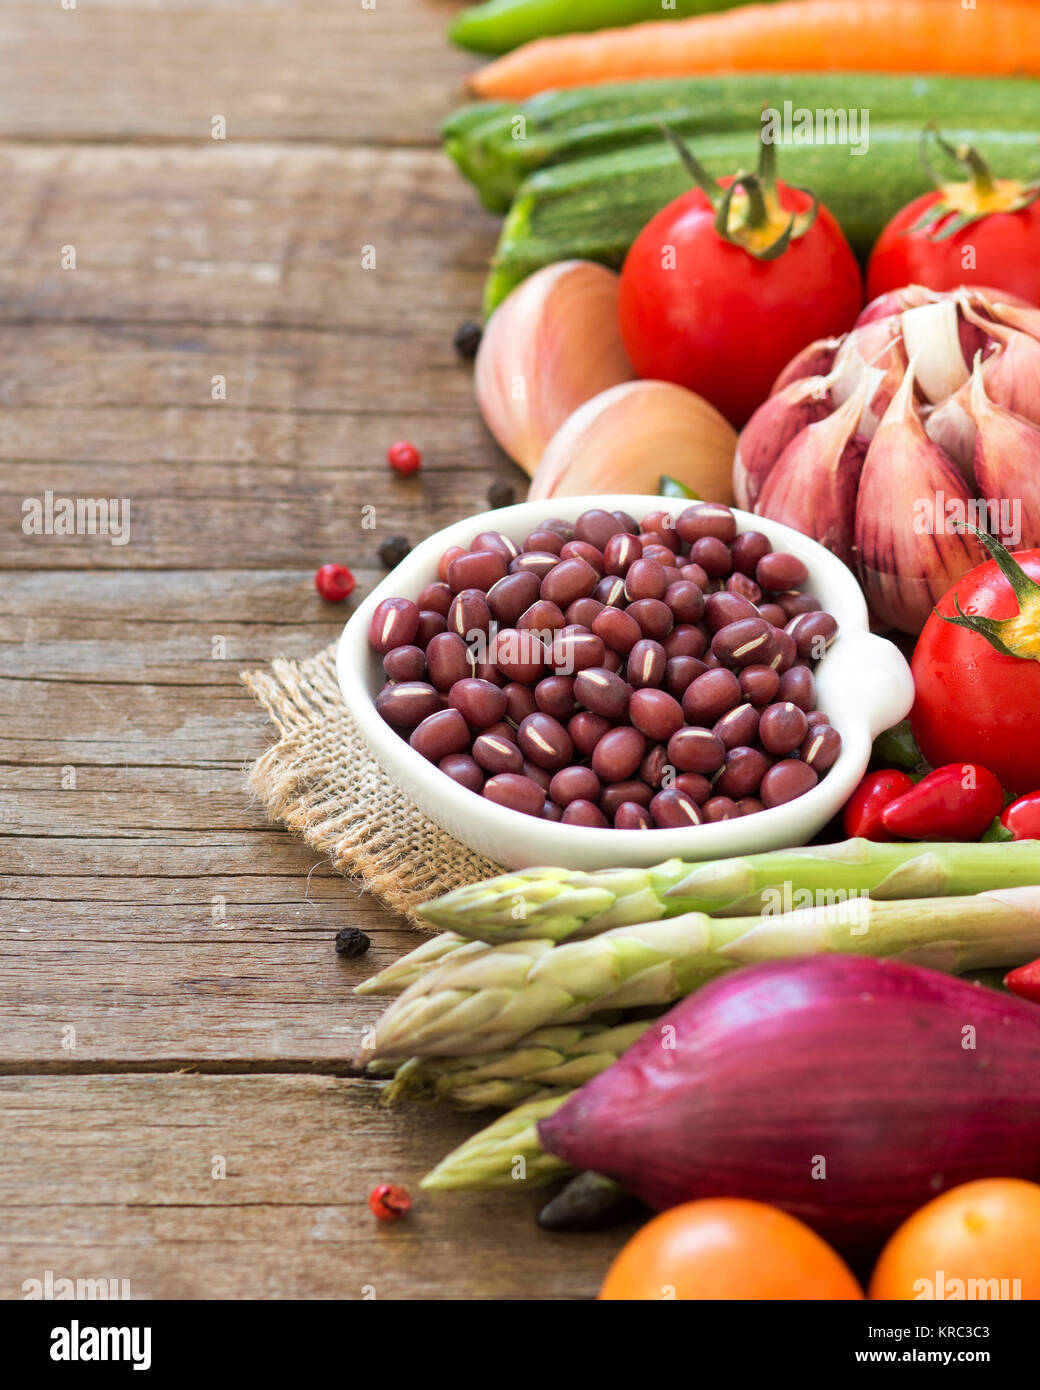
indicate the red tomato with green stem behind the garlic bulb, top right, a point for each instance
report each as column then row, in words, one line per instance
column 1003, row 237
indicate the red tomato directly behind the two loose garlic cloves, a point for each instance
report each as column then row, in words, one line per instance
column 707, row 313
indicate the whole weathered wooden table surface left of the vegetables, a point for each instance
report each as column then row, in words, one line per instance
column 186, row 322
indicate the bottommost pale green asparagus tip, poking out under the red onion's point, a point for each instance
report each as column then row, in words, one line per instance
column 505, row 1154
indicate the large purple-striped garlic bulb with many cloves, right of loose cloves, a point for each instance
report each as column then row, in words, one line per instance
column 946, row 391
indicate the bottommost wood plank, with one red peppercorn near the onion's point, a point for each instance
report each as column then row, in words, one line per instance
column 113, row 1178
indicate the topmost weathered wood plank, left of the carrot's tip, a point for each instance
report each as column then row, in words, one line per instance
column 283, row 69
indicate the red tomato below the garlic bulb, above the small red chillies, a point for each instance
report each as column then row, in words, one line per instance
column 975, row 704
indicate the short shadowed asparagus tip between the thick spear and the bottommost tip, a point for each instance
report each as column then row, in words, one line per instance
column 540, row 1065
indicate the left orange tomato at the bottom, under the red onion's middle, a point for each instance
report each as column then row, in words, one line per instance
column 728, row 1249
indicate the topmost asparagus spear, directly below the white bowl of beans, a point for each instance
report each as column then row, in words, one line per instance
column 562, row 904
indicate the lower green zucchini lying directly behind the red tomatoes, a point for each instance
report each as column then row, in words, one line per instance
column 594, row 208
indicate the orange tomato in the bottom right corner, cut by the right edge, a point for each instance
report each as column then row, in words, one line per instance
column 967, row 1242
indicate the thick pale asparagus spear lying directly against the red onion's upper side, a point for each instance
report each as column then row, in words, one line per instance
column 494, row 999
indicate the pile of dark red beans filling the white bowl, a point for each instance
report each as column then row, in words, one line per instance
column 615, row 673
